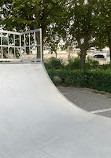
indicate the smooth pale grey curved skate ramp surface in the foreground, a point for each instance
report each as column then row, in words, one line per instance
column 36, row 121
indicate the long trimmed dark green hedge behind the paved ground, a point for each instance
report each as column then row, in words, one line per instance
column 99, row 80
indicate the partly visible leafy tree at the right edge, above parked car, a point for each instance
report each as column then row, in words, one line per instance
column 103, row 33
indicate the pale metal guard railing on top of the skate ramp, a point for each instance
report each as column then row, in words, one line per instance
column 25, row 46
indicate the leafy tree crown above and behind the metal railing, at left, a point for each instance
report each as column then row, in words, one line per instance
column 33, row 14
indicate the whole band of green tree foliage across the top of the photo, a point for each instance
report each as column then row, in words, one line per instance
column 83, row 23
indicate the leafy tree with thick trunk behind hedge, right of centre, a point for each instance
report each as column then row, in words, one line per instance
column 82, row 25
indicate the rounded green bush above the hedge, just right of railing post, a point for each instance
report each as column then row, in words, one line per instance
column 56, row 63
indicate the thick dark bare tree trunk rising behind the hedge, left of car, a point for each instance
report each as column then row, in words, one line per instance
column 82, row 58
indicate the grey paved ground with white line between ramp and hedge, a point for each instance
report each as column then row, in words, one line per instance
column 89, row 100
